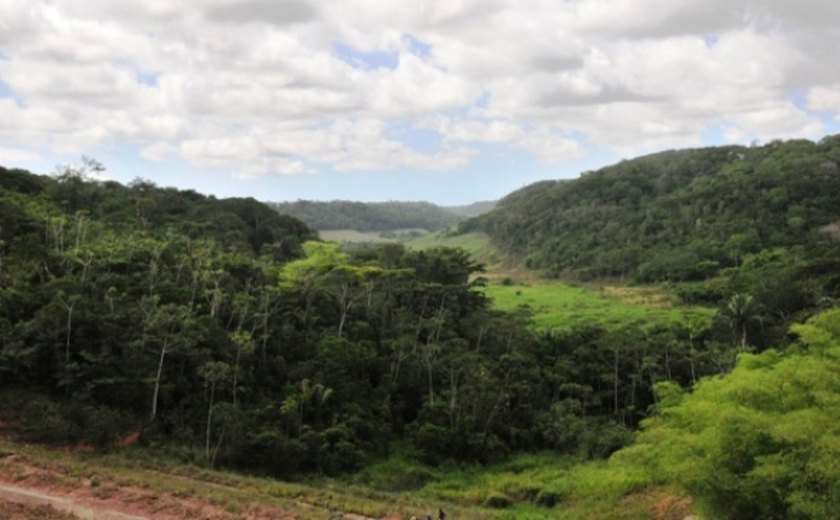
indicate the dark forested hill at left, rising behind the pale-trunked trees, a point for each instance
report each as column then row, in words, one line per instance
column 71, row 214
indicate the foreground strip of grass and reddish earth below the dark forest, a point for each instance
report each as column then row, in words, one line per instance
column 534, row 486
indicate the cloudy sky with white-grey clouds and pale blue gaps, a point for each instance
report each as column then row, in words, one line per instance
column 450, row 101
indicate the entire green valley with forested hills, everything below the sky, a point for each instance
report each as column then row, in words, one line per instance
column 505, row 367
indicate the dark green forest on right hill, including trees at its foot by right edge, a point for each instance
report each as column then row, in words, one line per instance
column 718, row 222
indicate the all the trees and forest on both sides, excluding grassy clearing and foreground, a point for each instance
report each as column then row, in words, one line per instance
column 229, row 335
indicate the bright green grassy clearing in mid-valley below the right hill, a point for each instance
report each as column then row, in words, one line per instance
column 558, row 306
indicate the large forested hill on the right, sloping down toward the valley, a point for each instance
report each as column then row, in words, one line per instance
column 676, row 215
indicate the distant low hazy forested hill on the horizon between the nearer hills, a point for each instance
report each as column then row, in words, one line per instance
column 377, row 216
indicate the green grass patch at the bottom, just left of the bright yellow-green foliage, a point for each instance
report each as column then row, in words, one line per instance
column 534, row 486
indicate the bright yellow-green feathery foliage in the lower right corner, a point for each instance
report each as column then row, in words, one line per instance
column 760, row 442
